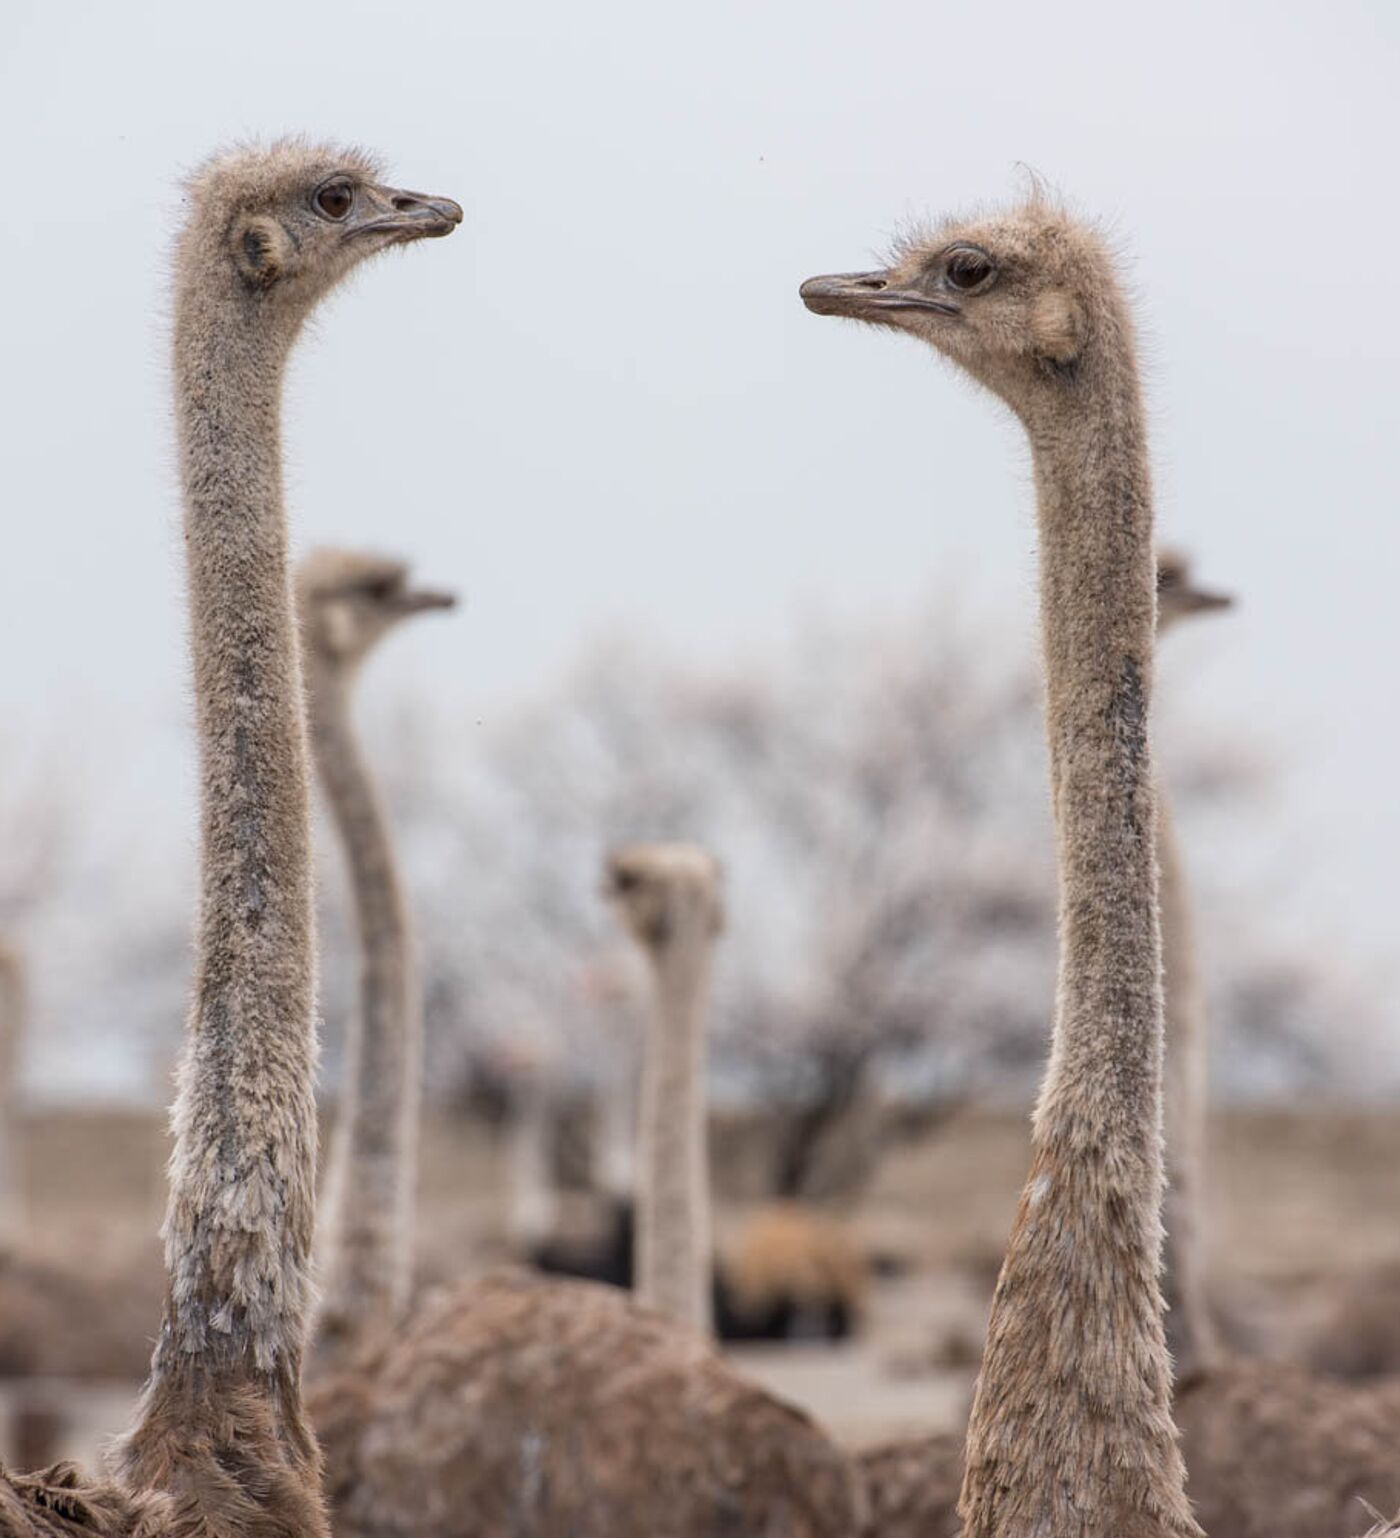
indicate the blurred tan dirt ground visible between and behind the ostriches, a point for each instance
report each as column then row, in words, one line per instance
column 1301, row 1200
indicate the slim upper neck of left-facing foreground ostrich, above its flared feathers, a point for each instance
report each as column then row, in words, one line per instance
column 1098, row 630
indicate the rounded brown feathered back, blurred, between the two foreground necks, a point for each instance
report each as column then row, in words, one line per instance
column 552, row 1410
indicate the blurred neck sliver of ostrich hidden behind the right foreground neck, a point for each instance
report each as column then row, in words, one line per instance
column 1190, row 1330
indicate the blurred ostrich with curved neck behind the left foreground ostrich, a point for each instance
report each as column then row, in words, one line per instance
column 348, row 602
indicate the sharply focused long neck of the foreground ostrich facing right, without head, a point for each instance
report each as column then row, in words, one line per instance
column 225, row 1376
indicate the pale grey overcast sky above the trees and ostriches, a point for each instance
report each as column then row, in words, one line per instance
column 602, row 404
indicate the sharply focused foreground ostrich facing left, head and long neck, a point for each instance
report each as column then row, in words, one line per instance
column 1072, row 1423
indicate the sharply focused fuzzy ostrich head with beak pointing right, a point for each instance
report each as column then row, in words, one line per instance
column 282, row 225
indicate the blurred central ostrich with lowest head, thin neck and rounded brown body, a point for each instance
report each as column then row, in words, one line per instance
column 525, row 1405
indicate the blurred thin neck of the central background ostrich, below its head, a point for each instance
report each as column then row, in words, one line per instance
column 673, row 1202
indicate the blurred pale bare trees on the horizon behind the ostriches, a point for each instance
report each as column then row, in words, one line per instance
column 876, row 794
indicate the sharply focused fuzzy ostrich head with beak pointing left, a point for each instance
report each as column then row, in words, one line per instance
column 1021, row 301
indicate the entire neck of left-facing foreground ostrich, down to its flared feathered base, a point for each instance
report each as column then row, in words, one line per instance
column 1072, row 1430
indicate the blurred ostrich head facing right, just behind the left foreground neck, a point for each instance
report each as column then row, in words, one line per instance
column 350, row 601
